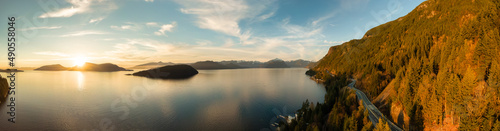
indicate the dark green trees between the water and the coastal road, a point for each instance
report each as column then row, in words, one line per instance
column 341, row 110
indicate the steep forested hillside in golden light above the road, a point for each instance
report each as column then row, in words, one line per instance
column 443, row 59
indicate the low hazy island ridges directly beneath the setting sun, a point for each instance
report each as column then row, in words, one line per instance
column 106, row 67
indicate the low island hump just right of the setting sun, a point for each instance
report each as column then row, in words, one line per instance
column 106, row 67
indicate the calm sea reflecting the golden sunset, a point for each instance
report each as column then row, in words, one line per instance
column 241, row 99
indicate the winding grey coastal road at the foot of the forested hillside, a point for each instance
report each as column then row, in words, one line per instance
column 373, row 111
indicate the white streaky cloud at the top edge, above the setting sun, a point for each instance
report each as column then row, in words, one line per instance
column 81, row 6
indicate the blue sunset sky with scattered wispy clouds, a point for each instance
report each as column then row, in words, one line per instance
column 132, row 32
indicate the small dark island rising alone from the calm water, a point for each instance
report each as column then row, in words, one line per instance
column 169, row 72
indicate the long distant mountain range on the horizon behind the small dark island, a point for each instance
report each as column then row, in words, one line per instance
column 233, row 64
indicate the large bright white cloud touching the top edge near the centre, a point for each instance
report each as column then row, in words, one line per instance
column 223, row 15
